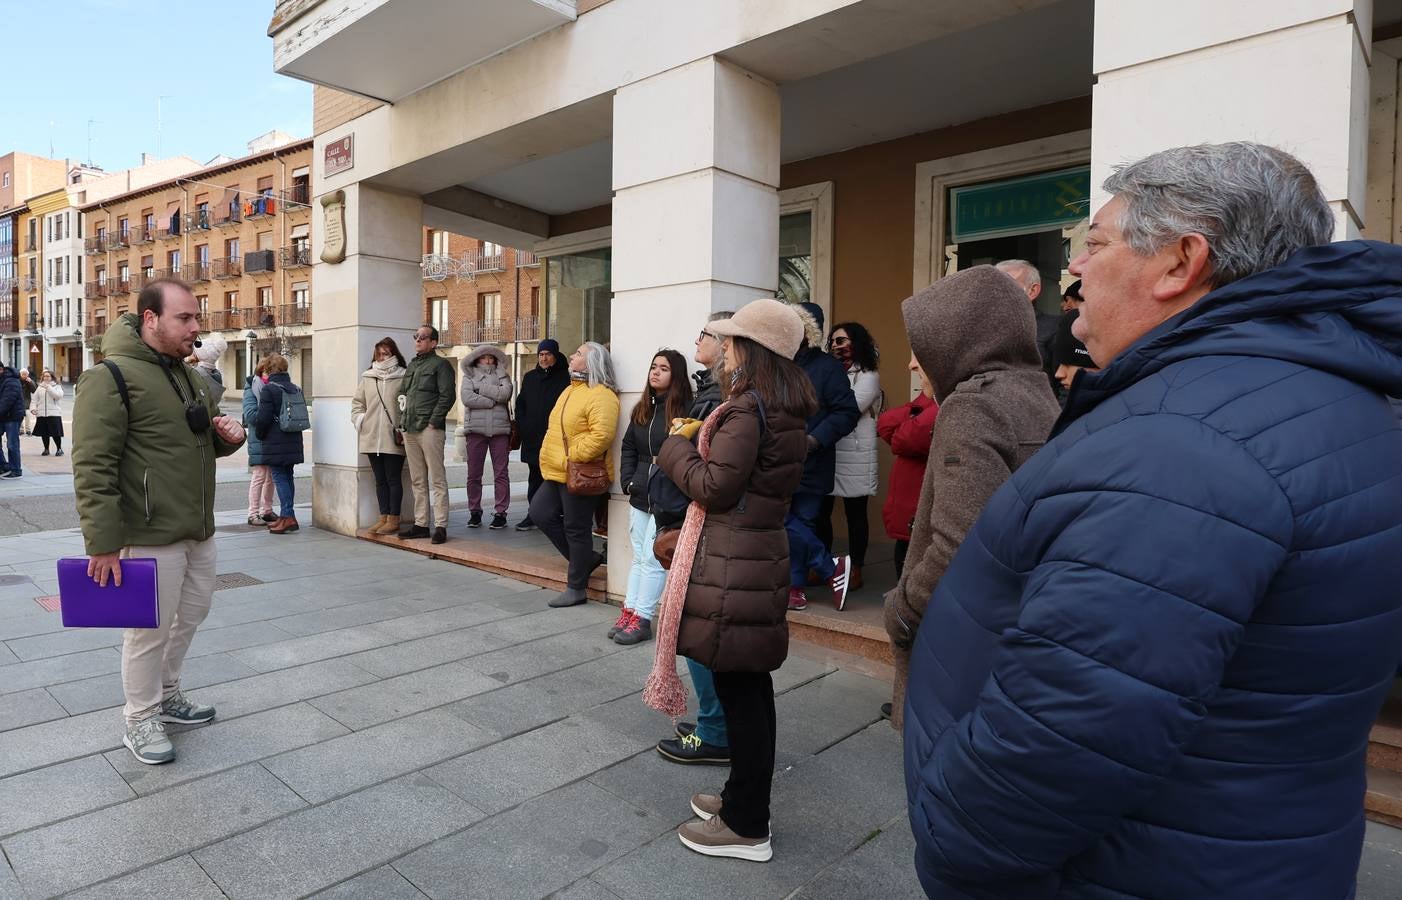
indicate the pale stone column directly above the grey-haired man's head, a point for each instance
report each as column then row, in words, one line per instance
column 1289, row 75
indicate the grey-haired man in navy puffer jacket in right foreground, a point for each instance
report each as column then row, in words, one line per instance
column 1152, row 668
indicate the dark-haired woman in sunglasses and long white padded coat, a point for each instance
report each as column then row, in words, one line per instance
column 856, row 479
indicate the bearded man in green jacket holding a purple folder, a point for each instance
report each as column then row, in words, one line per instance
column 144, row 473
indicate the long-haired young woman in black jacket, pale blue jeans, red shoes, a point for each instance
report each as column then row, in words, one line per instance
column 668, row 397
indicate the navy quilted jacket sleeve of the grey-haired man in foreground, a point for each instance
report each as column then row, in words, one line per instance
column 1148, row 549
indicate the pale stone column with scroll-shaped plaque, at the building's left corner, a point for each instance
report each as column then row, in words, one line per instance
column 375, row 292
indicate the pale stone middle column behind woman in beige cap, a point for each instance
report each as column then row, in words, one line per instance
column 696, row 221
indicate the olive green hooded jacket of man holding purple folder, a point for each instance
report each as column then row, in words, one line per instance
column 142, row 480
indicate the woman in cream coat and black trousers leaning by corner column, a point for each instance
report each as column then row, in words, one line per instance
column 376, row 417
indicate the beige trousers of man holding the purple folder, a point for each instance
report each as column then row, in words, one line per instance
column 152, row 658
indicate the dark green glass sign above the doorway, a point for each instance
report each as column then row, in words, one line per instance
column 1020, row 205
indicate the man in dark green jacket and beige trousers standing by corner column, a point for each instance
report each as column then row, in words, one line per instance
column 427, row 395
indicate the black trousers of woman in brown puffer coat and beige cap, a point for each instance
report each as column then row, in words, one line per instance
column 748, row 700
